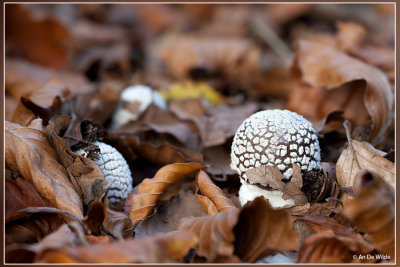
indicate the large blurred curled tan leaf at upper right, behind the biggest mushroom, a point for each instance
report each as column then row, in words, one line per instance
column 324, row 67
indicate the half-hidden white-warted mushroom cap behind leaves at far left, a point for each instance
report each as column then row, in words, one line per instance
column 115, row 169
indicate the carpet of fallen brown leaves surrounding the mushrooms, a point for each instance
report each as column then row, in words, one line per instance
column 195, row 72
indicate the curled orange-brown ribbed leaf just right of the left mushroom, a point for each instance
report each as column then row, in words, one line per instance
column 150, row 189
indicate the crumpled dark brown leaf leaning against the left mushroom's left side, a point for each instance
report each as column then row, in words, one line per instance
column 85, row 174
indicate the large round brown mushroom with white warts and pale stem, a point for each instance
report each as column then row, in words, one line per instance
column 273, row 138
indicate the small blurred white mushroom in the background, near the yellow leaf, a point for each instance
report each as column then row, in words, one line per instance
column 141, row 94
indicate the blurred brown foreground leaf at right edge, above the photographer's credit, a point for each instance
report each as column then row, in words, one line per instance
column 372, row 210
